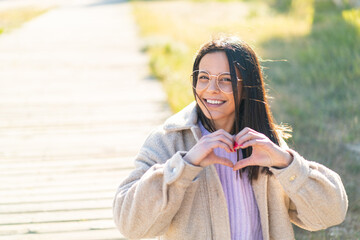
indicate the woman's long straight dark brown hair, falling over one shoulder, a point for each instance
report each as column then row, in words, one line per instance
column 253, row 110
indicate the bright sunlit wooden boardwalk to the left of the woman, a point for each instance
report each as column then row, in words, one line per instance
column 75, row 106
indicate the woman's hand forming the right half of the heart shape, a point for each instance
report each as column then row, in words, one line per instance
column 264, row 151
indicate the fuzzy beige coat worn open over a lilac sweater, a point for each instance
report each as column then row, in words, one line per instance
column 167, row 197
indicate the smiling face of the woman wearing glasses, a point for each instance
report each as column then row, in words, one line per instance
column 221, row 105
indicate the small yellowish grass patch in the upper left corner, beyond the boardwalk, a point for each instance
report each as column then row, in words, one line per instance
column 14, row 18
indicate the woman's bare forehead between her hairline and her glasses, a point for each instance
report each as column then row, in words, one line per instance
column 215, row 63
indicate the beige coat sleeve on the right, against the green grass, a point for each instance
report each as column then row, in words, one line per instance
column 317, row 197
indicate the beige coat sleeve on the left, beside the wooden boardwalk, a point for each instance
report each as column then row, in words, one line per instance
column 148, row 199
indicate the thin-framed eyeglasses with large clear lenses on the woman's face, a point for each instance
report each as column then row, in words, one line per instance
column 223, row 80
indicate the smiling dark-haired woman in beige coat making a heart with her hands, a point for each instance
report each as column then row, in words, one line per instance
column 219, row 168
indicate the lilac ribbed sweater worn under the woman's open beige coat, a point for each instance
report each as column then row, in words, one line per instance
column 243, row 210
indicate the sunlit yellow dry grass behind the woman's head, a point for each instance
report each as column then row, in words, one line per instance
column 178, row 28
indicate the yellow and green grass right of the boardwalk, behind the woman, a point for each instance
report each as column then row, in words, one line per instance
column 310, row 55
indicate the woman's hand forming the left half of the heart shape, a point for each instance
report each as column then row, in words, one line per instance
column 202, row 154
